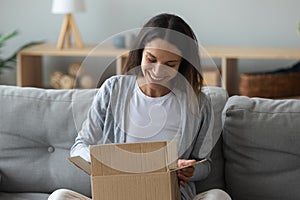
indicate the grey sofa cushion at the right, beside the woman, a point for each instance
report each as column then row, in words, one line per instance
column 261, row 148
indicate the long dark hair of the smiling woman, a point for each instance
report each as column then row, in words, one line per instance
column 176, row 31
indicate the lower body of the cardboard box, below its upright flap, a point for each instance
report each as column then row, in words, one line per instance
column 158, row 186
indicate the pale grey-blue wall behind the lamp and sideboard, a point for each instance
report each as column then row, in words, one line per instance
column 271, row 23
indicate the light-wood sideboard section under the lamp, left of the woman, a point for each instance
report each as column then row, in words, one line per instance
column 29, row 60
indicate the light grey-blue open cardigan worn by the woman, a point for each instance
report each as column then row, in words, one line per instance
column 108, row 111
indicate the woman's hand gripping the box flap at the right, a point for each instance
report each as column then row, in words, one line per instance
column 185, row 174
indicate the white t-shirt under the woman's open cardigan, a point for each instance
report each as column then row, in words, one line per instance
column 152, row 119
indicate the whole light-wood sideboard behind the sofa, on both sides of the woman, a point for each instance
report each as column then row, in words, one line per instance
column 29, row 62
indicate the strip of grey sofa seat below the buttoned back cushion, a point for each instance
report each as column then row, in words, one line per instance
column 22, row 196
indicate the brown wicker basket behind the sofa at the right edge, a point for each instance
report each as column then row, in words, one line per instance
column 270, row 85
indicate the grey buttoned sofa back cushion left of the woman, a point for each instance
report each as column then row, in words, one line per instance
column 37, row 130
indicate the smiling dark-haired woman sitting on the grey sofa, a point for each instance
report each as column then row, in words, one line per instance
column 159, row 99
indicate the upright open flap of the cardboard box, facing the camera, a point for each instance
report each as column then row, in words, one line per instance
column 115, row 159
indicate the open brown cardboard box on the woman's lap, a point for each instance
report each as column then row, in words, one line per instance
column 135, row 171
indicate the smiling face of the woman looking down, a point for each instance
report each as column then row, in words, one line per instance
column 160, row 63
